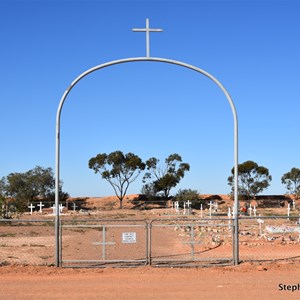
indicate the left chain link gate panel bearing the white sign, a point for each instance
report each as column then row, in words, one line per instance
column 103, row 243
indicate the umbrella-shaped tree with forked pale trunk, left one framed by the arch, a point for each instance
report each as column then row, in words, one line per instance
column 119, row 169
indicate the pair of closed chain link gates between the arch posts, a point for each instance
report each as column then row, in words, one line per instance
column 131, row 243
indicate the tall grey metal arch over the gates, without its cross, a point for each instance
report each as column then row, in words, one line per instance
column 139, row 59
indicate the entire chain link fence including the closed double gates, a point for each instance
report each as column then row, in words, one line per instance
column 177, row 241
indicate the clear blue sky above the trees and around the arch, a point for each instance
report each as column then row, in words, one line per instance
column 150, row 109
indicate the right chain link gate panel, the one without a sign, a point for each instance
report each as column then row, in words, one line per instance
column 190, row 242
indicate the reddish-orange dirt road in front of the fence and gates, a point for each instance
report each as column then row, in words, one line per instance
column 247, row 281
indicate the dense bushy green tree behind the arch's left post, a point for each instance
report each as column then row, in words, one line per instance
column 35, row 184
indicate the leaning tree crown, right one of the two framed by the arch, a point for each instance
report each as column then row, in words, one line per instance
column 159, row 180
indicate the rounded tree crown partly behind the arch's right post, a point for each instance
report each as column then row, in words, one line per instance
column 252, row 179
